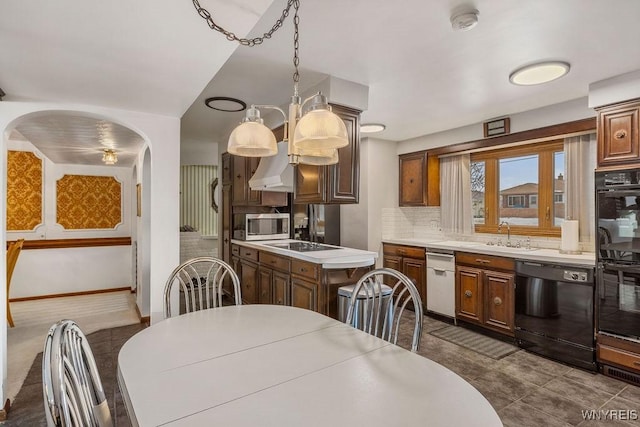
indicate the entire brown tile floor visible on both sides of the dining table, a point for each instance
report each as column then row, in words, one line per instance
column 526, row 390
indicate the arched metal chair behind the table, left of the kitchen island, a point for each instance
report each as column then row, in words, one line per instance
column 203, row 282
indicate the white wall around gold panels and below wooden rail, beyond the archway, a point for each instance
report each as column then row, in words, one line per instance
column 58, row 271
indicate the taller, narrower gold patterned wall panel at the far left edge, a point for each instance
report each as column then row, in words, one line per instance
column 24, row 191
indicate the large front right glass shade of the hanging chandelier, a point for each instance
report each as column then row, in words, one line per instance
column 320, row 129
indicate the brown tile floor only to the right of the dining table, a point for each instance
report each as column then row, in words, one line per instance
column 528, row 390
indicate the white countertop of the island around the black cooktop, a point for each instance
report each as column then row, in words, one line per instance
column 330, row 259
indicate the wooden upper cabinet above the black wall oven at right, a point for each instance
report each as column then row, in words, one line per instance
column 618, row 140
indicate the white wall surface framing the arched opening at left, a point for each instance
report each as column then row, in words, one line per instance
column 162, row 134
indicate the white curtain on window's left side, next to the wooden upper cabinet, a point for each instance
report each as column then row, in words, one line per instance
column 455, row 195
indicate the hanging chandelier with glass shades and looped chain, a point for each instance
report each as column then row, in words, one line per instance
column 313, row 136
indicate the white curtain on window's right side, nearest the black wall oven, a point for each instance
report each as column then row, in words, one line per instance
column 580, row 163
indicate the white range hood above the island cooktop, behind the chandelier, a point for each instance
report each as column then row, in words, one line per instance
column 274, row 173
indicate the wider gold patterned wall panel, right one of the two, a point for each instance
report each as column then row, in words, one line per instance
column 88, row 202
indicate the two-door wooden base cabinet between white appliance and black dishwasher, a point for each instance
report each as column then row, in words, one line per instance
column 485, row 291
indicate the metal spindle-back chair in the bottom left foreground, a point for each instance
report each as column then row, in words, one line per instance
column 71, row 386
